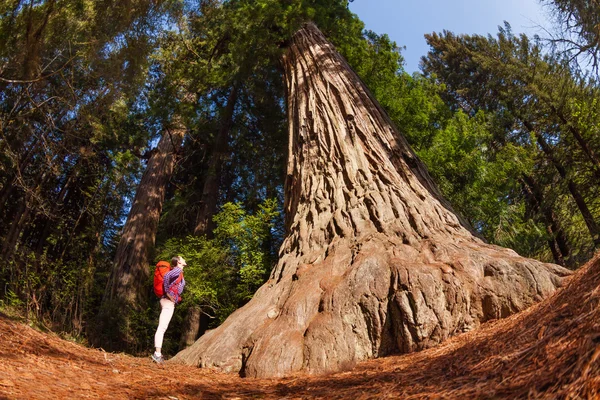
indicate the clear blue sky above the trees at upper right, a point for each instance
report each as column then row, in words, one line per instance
column 407, row 21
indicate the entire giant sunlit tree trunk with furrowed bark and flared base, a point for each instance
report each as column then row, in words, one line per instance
column 374, row 261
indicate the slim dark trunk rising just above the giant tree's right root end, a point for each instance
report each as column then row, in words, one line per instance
column 558, row 242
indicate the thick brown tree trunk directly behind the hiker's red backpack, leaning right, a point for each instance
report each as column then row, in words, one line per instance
column 127, row 287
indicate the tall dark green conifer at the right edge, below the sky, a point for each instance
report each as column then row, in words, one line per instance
column 535, row 100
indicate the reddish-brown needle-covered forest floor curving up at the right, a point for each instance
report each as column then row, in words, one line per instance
column 551, row 350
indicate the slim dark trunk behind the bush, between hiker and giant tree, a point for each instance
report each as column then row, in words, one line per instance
column 208, row 206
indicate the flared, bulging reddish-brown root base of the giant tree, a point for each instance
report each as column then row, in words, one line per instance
column 369, row 300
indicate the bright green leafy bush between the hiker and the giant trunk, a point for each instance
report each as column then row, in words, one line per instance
column 224, row 272
